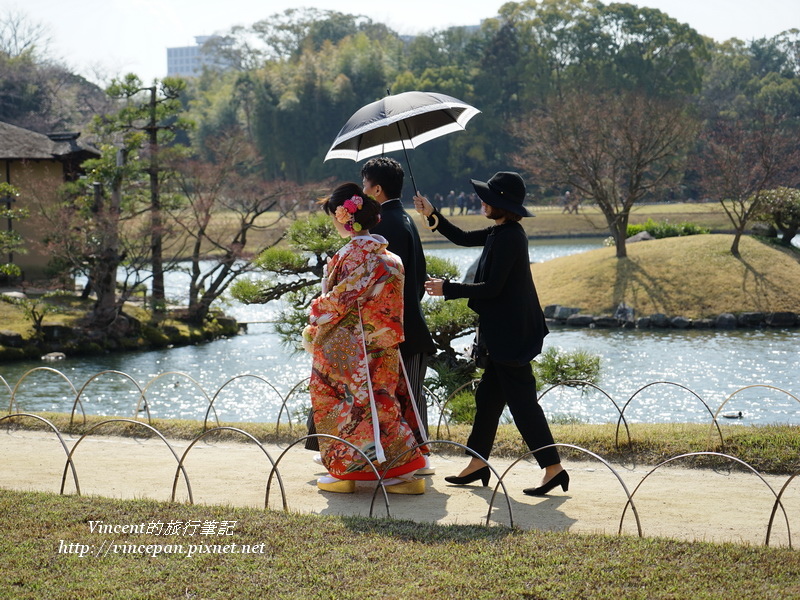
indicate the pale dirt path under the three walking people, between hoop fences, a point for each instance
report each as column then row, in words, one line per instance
column 687, row 504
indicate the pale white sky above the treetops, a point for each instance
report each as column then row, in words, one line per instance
column 100, row 39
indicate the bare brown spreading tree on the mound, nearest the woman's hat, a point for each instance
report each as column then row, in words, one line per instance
column 615, row 148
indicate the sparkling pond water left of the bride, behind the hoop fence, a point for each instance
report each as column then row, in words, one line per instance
column 211, row 365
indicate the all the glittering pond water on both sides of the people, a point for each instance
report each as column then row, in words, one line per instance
column 668, row 376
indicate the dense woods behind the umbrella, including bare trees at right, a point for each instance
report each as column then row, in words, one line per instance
column 617, row 103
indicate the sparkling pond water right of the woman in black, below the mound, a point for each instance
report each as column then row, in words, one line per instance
column 713, row 364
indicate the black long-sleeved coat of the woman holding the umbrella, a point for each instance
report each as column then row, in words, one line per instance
column 510, row 318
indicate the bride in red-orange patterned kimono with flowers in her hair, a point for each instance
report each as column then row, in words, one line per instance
column 358, row 389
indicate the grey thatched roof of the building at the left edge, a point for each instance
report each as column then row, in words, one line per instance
column 17, row 143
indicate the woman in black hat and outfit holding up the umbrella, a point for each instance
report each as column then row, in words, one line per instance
column 511, row 327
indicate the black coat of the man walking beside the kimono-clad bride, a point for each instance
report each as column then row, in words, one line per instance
column 401, row 233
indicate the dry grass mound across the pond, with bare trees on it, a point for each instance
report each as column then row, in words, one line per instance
column 694, row 276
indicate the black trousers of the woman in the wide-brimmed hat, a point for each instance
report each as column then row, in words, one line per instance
column 502, row 385
